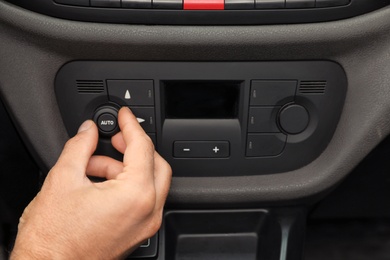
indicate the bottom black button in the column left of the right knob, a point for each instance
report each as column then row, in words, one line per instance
column 259, row 145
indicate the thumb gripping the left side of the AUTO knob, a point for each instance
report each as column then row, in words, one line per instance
column 78, row 150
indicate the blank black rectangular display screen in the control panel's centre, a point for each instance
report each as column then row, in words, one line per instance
column 201, row 99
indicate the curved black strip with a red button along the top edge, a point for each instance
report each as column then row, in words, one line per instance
column 202, row 12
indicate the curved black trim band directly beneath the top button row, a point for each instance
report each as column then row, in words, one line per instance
column 209, row 17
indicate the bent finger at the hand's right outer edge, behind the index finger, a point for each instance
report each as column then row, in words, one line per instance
column 162, row 180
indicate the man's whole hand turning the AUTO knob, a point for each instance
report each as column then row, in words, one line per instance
column 74, row 218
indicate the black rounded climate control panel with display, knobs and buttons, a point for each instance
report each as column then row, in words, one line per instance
column 211, row 118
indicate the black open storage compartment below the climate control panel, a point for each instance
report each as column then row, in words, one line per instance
column 251, row 234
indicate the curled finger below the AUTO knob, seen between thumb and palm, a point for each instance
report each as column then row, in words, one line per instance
column 104, row 167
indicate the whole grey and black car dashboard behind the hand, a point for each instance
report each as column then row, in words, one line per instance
column 262, row 108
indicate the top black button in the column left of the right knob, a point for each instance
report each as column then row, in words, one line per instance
column 270, row 93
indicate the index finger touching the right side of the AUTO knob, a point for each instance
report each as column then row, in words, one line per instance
column 138, row 157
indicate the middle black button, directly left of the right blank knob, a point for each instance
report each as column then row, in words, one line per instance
column 263, row 120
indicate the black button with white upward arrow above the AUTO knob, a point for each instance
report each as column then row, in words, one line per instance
column 131, row 92
